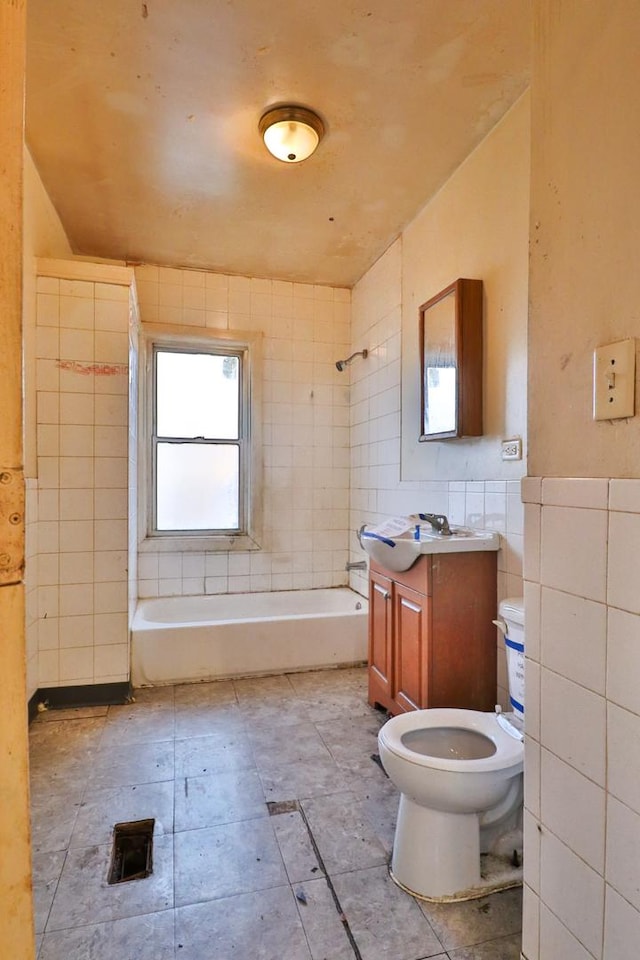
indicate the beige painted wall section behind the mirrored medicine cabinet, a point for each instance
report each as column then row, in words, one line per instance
column 476, row 226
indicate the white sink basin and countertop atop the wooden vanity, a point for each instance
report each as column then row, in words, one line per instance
column 402, row 552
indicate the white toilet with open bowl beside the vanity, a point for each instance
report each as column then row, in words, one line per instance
column 460, row 777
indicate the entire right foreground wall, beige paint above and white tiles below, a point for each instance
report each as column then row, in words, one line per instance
column 582, row 534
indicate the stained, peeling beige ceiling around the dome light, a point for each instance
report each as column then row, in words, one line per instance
column 142, row 121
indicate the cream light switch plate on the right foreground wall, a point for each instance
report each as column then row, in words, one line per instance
column 614, row 374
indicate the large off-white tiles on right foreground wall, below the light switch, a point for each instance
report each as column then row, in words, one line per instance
column 582, row 768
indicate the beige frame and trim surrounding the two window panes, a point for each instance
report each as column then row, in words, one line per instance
column 245, row 345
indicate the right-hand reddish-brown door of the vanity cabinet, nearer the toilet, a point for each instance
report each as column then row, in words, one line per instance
column 411, row 614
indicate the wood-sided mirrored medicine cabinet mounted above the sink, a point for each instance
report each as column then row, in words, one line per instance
column 451, row 362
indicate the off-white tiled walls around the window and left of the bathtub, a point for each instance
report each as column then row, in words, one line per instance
column 81, row 508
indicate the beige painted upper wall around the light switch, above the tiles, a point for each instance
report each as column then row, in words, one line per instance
column 585, row 284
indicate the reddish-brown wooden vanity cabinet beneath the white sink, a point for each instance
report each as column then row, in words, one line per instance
column 432, row 642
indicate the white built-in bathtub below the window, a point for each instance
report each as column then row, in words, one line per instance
column 178, row 639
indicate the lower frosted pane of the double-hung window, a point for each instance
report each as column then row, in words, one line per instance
column 197, row 486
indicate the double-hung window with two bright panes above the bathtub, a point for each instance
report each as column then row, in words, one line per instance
column 199, row 457
